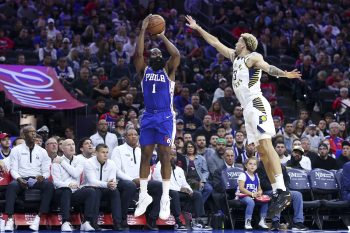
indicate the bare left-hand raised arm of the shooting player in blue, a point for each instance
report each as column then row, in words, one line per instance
column 139, row 60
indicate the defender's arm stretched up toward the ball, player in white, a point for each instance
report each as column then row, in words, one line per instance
column 212, row 40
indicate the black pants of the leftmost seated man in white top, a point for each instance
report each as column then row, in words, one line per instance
column 14, row 188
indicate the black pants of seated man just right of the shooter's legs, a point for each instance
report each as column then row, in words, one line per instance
column 195, row 200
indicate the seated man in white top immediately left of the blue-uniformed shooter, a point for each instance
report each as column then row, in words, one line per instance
column 127, row 157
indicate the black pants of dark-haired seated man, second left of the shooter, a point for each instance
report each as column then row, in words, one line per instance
column 113, row 196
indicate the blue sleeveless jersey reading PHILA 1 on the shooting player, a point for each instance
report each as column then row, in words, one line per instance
column 158, row 90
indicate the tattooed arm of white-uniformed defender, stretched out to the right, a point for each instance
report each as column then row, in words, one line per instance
column 258, row 62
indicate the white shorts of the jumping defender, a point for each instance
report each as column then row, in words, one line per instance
column 258, row 120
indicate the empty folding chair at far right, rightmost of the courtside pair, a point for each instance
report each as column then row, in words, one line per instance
column 325, row 188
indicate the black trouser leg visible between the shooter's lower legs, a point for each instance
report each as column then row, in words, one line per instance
column 155, row 190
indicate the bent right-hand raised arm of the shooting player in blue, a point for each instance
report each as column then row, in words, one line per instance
column 174, row 59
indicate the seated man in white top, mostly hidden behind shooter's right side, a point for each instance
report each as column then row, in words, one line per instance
column 180, row 190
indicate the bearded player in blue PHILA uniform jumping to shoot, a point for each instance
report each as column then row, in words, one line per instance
column 157, row 124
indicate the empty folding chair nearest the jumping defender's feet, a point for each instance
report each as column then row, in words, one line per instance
column 299, row 182
